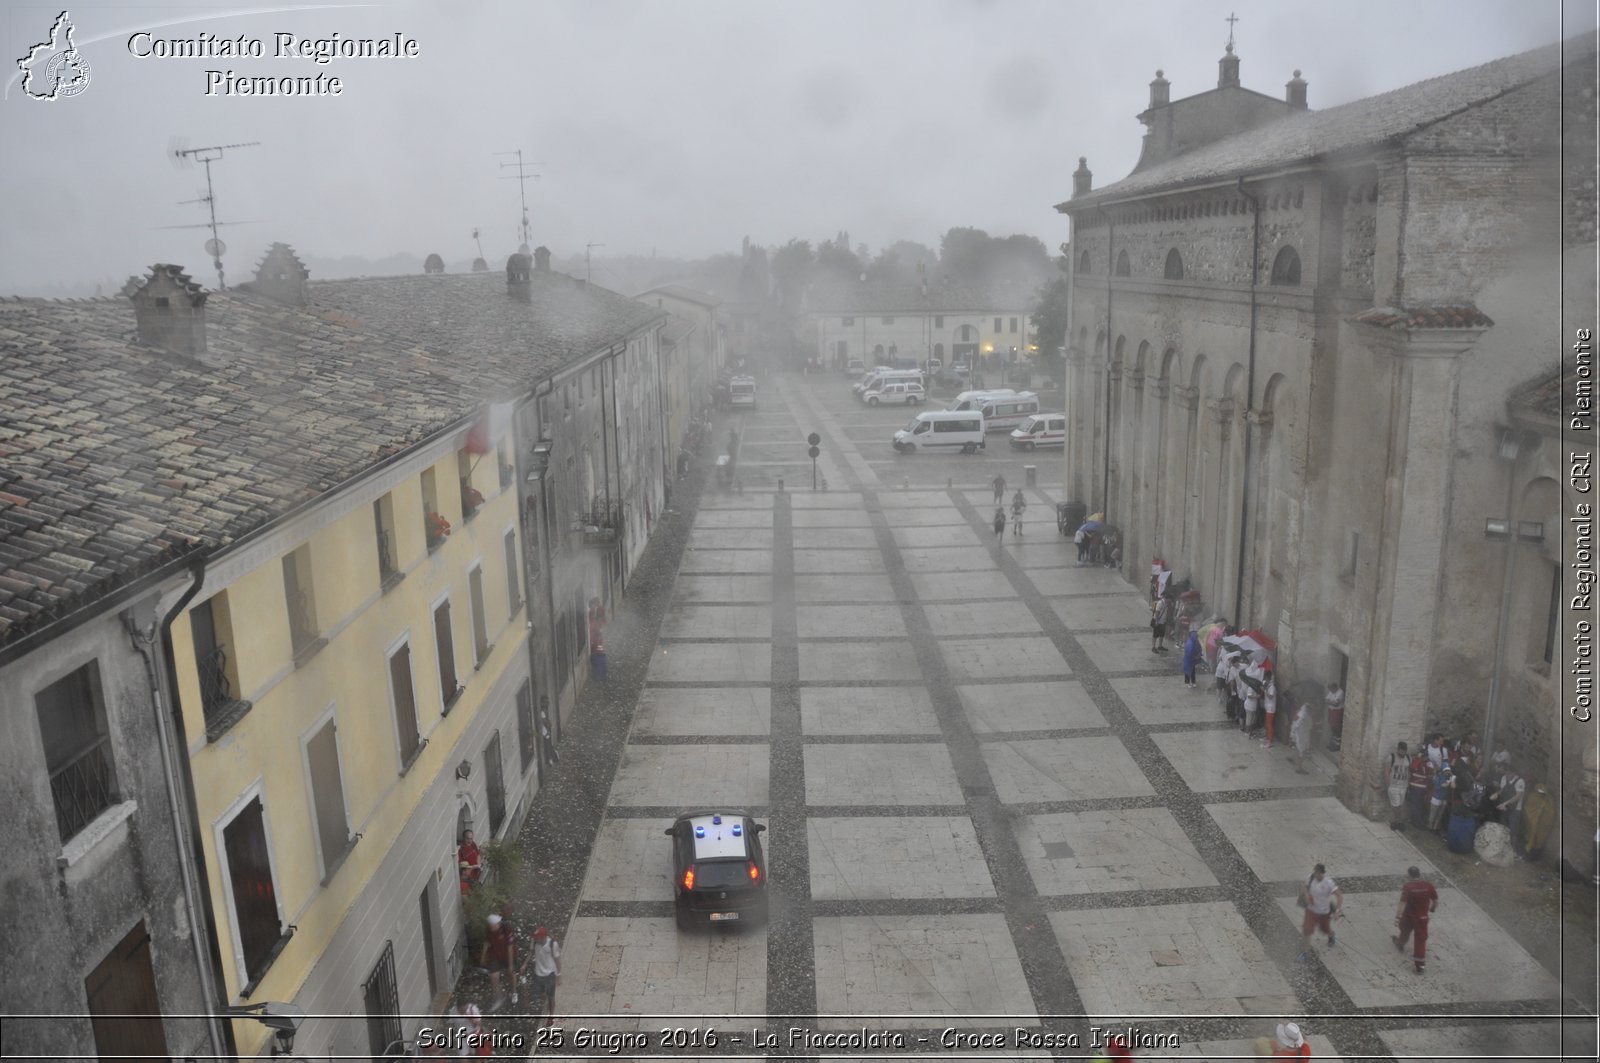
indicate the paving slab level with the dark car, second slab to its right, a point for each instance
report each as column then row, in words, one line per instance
column 1110, row 851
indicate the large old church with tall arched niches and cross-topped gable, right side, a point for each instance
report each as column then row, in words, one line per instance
column 1294, row 342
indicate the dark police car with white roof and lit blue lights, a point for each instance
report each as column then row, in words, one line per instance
column 719, row 872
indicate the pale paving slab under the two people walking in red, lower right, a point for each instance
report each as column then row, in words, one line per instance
column 1470, row 958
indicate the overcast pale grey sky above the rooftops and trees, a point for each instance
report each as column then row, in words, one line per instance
column 678, row 127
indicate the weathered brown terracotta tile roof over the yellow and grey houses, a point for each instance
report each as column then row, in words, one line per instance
column 114, row 457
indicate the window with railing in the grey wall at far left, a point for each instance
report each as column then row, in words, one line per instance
column 78, row 748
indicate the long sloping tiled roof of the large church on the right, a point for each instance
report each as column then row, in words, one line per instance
column 1366, row 122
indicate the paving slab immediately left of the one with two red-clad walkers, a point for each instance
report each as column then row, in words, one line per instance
column 1170, row 960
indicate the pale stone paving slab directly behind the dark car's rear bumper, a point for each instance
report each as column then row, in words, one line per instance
column 614, row 966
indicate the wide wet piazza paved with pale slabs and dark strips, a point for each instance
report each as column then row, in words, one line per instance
column 990, row 804
